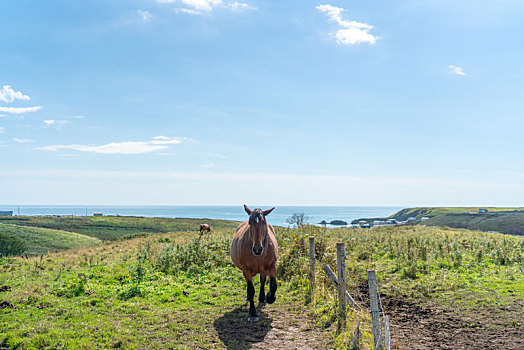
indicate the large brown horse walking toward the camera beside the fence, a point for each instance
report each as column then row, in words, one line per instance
column 255, row 251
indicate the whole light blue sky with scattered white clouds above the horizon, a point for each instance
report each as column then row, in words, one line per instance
column 278, row 103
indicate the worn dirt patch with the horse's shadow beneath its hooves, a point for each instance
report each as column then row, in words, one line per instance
column 278, row 328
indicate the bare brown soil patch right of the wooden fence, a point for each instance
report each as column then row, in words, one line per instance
column 435, row 327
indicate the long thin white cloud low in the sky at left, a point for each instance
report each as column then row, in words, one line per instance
column 127, row 147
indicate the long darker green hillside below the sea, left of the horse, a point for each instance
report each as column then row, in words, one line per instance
column 111, row 228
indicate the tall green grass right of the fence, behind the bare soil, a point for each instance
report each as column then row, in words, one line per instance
column 449, row 267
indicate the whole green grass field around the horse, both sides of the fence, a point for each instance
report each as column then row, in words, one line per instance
column 172, row 291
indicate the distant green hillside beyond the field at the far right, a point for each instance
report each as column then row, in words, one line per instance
column 505, row 223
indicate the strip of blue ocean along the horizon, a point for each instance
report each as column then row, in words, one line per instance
column 277, row 217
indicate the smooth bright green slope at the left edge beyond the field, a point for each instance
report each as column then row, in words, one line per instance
column 41, row 240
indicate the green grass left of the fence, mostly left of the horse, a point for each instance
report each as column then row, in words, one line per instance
column 164, row 291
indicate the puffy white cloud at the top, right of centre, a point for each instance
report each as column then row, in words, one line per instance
column 352, row 32
